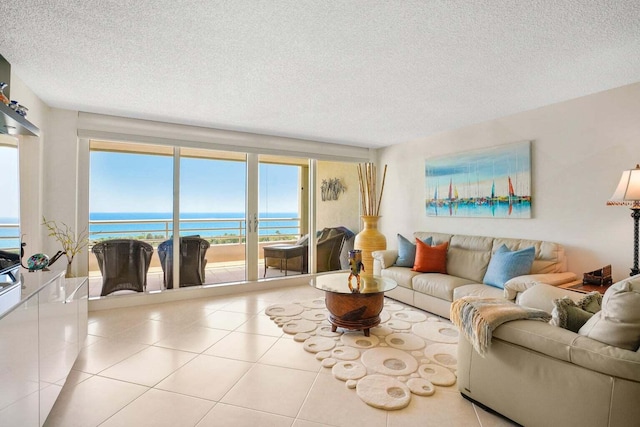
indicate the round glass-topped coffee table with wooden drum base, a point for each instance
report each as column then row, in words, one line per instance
column 353, row 310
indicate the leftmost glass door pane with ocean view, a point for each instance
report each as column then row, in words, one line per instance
column 130, row 198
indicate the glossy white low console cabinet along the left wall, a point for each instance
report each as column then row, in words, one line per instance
column 40, row 338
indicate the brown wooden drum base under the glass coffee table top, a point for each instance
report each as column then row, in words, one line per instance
column 354, row 311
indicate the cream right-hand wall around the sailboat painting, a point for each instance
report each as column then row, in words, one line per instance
column 579, row 150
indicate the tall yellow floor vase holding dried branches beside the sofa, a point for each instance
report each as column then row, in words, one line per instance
column 370, row 239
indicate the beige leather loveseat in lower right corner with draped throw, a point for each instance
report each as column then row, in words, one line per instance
column 538, row 374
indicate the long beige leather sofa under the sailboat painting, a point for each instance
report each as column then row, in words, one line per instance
column 467, row 261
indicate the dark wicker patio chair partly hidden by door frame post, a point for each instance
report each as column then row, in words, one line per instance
column 193, row 250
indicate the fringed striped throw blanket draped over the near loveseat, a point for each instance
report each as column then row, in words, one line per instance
column 478, row 317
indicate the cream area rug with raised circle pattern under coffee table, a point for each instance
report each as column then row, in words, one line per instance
column 409, row 354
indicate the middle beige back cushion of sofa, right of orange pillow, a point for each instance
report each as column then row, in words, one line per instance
column 469, row 256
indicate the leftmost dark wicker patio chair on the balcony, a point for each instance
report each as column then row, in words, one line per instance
column 124, row 264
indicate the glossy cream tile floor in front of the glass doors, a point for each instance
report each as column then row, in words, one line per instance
column 222, row 362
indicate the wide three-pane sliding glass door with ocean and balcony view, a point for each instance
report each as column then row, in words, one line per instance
column 226, row 207
